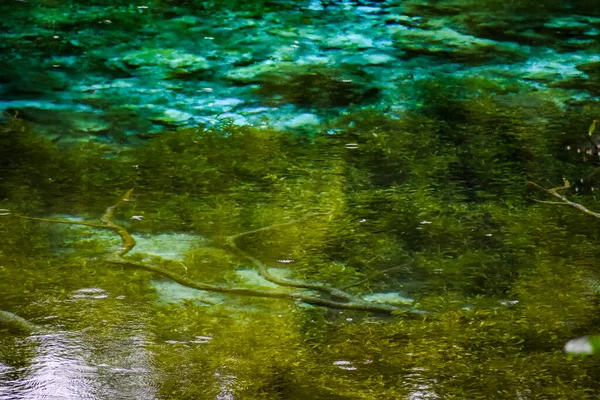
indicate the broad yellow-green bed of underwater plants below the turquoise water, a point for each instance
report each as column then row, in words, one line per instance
column 432, row 211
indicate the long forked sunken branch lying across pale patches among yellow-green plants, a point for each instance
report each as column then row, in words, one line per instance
column 338, row 299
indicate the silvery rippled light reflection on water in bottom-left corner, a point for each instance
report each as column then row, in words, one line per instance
column 65, row 366
